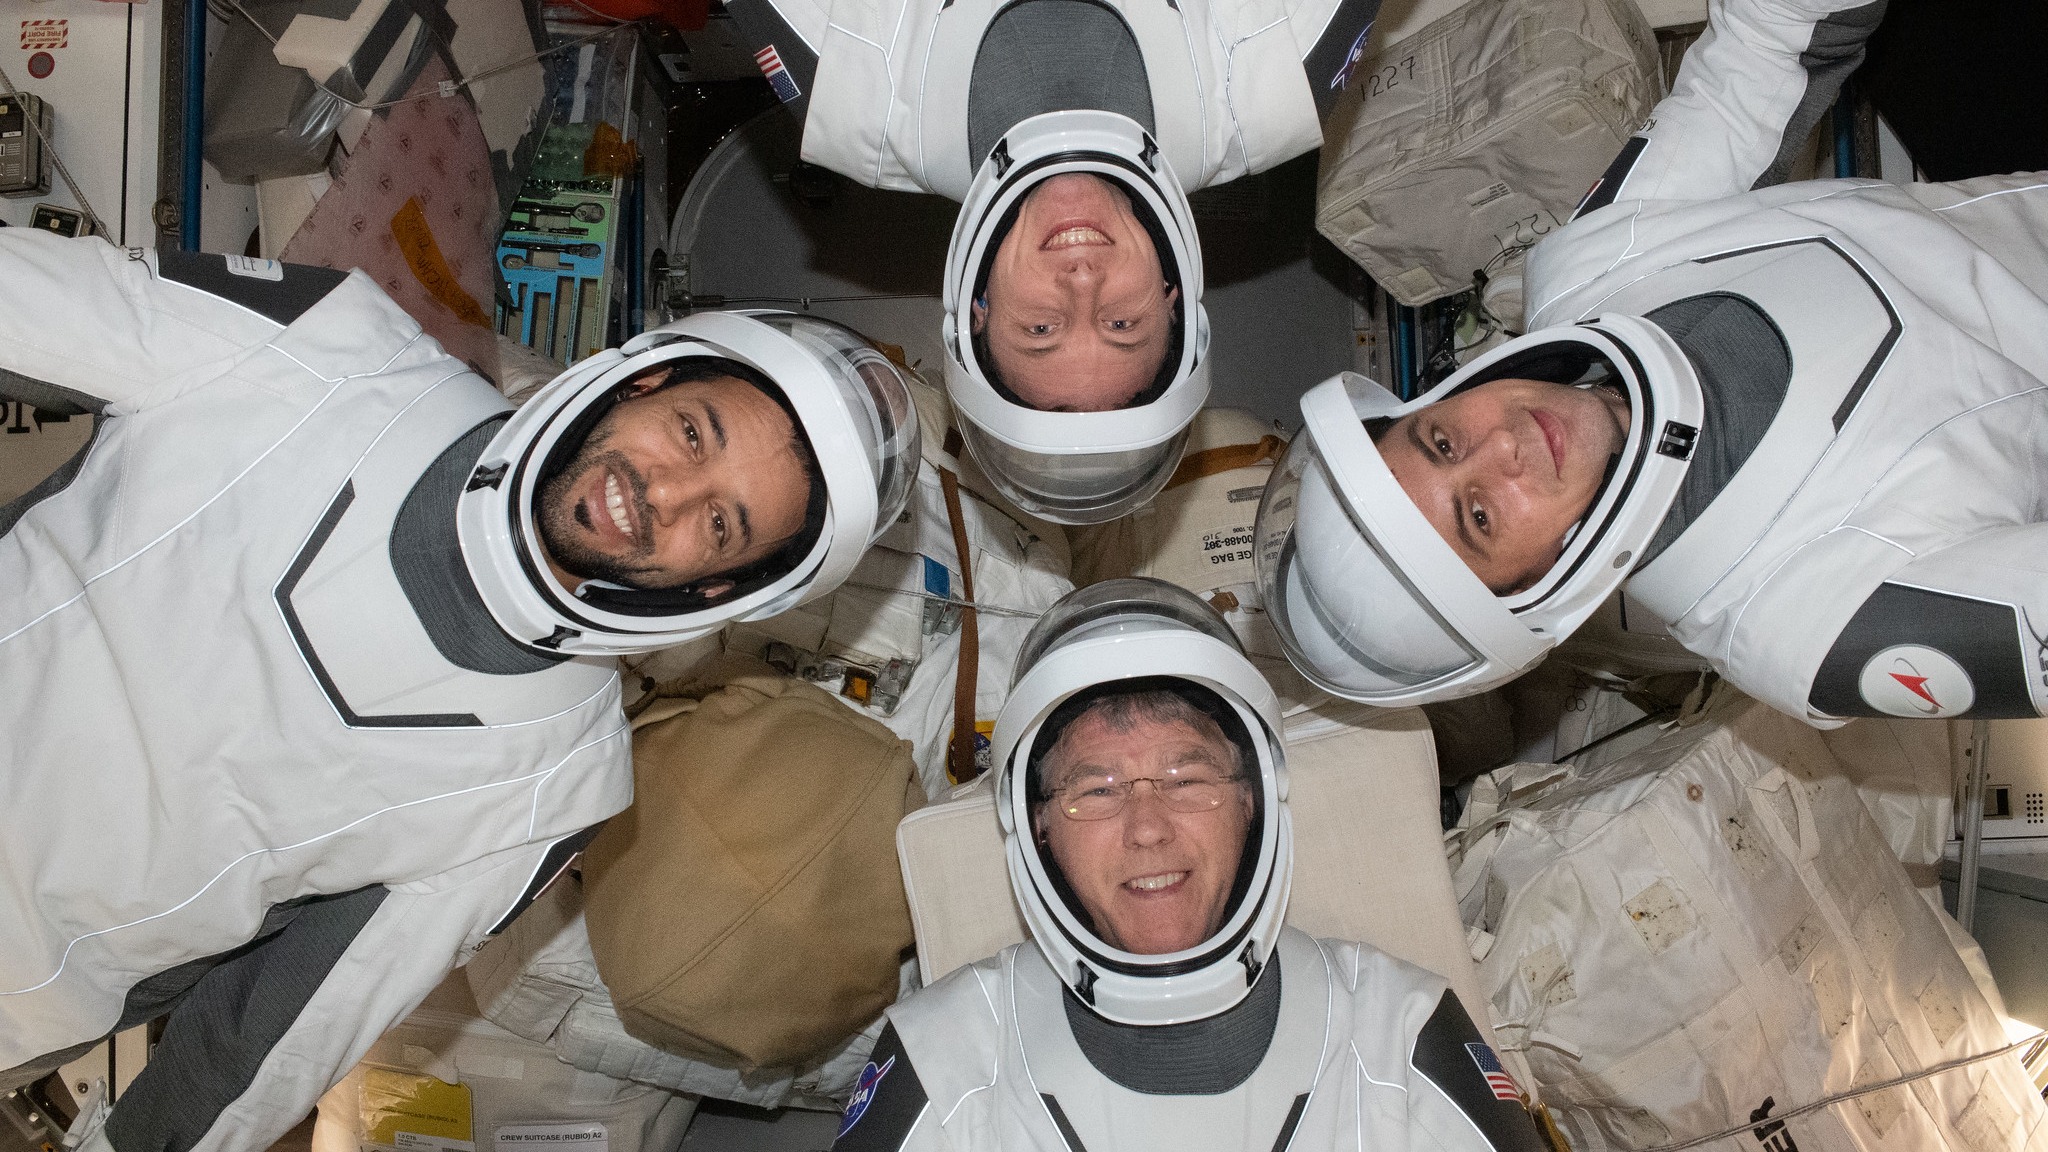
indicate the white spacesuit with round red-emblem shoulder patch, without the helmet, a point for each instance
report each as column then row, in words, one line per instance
column 1883, row 548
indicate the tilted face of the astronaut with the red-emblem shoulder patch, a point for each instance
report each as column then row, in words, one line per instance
column 1506, row 468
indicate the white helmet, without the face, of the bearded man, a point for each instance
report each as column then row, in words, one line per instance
column 857, row 427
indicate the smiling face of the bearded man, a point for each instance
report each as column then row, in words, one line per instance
column 677, row 485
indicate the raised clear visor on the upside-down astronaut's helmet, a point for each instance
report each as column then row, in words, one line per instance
column 1076, row 487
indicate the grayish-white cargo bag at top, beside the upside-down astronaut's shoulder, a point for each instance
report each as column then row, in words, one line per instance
column 1474, row 138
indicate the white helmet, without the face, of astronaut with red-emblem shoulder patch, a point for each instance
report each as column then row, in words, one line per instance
column 1375, row 606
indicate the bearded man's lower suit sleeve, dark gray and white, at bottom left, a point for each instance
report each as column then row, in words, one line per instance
column 261, row 1036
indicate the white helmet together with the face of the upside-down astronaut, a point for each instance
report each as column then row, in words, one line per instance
column 1095, row 431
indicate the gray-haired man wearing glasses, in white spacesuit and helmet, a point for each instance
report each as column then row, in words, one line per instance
column 1160, row 1001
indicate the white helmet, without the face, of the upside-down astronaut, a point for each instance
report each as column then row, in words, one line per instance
column 1076, row 466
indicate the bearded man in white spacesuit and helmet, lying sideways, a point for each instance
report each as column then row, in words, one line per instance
column 308, row 657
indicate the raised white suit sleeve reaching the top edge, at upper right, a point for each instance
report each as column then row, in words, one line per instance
column 1744, row 104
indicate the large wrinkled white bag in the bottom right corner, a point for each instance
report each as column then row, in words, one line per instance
column 1713, row 934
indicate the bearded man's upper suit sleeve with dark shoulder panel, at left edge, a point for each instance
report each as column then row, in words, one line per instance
column 99, row 329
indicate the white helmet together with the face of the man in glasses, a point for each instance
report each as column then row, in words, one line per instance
column 1150, row 659
